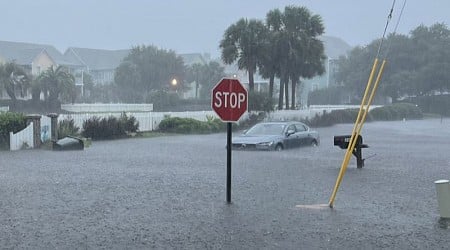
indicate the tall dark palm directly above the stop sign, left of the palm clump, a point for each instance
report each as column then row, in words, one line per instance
column 244, row 41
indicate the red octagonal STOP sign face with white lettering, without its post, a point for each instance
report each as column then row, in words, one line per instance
column 229, row 99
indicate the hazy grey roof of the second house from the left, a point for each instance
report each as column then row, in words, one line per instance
column 96, row 59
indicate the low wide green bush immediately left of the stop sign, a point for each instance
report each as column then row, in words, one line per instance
column 190, row 126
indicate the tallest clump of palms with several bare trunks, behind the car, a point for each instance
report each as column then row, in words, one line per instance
column 301, row 53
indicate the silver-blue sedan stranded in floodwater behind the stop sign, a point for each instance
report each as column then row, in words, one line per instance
column 276, row 136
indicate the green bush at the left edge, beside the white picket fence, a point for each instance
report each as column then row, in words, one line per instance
column 10, row 122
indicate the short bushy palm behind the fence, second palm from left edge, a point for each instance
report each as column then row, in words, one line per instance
column 58, row 83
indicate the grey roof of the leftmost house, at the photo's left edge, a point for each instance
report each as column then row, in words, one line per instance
column 24, row 53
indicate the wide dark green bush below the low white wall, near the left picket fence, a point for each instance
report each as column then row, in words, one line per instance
column 98, row 128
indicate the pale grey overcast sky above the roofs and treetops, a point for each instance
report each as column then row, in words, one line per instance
column 195, row 25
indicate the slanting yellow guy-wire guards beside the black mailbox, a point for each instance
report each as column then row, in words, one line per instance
column 356, row 129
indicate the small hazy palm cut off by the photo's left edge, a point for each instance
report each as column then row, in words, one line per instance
column 13, row 79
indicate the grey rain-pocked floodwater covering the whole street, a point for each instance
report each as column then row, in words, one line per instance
column 169, row 192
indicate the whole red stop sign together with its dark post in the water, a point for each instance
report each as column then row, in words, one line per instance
column 229, row 101
